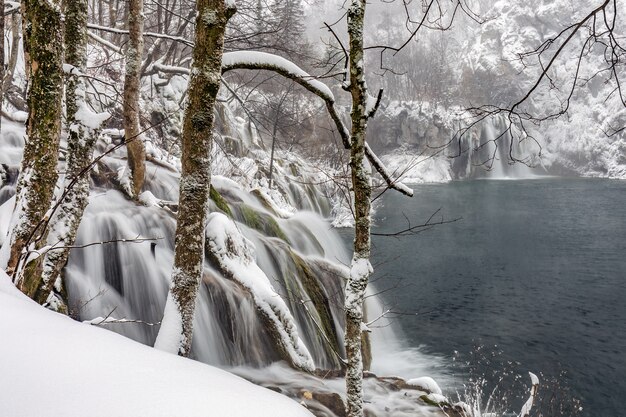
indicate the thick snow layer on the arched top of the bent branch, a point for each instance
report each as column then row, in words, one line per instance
column 231, row 59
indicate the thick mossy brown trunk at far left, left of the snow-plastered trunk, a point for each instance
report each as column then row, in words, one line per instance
column 38, row 175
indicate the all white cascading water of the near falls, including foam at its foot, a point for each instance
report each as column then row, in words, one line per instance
column 301, row 255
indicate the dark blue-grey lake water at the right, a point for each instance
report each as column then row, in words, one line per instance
column 534, row 274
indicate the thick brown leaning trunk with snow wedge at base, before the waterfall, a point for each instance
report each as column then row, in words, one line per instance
column 197, row 139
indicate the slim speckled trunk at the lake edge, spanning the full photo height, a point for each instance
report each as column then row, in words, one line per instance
column 361, row 267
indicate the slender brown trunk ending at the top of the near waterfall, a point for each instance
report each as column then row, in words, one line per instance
column 134, row 145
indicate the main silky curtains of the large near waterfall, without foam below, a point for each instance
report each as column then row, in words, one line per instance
column 130, row 280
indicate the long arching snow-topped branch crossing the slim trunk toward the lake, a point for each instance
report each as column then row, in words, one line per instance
column 286, row 68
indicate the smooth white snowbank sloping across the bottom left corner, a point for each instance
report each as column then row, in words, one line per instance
column 52, row 365
